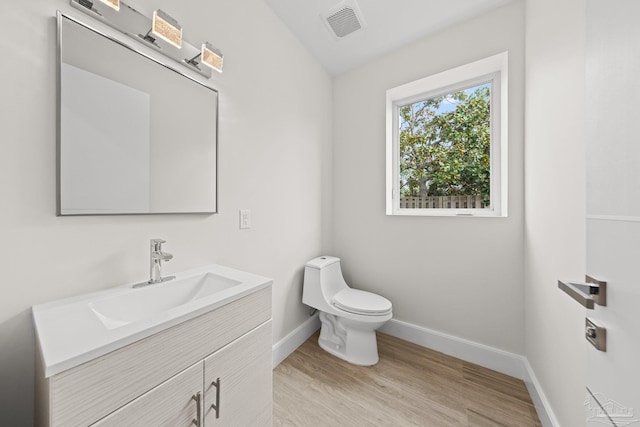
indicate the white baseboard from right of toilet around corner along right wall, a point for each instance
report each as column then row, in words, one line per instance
column 498, row 360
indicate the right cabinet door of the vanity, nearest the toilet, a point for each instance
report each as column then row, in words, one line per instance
column 238, row 381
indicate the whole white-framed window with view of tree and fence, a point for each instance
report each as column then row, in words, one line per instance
column 447, row 142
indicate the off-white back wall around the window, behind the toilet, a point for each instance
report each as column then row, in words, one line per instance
column 459, row 276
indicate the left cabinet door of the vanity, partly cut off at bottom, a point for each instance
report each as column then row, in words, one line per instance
column 174, row 403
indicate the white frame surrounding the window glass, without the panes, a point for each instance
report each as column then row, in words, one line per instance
column 493, row 69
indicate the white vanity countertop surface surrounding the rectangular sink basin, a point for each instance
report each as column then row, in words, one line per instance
column 70, row 333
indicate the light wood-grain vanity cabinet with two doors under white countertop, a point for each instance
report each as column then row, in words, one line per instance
column 212, row 370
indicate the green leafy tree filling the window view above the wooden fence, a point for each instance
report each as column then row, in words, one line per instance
column 445, row 149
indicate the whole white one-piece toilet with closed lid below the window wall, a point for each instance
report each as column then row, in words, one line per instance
column 349, row 317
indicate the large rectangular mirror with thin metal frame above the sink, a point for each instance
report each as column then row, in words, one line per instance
column 135, row 136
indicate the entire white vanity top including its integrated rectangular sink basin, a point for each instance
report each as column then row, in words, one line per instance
column 75, row 330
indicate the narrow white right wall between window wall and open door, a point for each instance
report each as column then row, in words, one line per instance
column 555, row 201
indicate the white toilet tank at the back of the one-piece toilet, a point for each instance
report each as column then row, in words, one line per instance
column 322, row 280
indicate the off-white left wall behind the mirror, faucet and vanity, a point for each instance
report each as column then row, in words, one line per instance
column 274, row 153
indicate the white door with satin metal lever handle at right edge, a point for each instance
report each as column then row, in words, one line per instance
column 613, row 207
